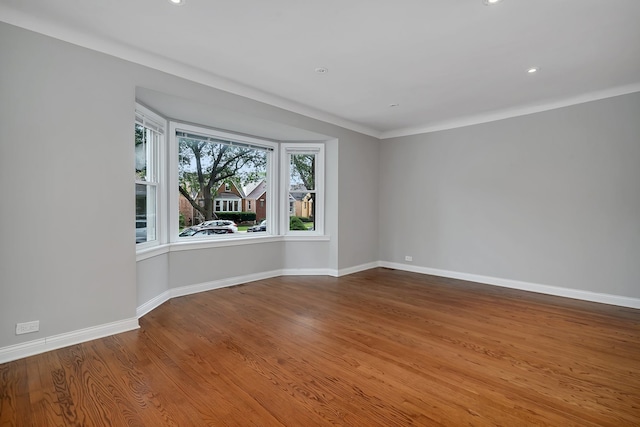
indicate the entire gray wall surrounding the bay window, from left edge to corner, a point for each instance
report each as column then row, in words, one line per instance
column 67, row 252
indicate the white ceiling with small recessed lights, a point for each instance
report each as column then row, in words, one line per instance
column 447, row 63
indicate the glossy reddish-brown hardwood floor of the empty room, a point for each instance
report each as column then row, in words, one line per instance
column 376, row 348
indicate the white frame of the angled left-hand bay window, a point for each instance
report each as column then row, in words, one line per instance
column 156, row 165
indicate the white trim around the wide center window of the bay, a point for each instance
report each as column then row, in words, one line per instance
column 173, row 193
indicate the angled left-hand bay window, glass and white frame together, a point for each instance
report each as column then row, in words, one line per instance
column 148, row 145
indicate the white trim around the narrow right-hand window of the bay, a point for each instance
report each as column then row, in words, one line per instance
column 286, row 149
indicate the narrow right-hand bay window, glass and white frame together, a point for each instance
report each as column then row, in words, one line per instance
column 303, row 178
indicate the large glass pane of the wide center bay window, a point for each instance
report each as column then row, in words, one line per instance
column 220, row 175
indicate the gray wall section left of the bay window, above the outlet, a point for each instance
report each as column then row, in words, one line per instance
column 65, row 183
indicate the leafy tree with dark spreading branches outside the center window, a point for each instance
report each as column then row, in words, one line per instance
column 205, row 165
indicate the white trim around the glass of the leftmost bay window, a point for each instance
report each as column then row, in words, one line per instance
column 157, row 123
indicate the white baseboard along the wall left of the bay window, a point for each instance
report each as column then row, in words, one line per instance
column 41, row 345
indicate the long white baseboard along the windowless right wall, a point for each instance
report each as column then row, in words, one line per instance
column 523, row 286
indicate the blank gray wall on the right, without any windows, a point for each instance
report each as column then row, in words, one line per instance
column 551, row 198
